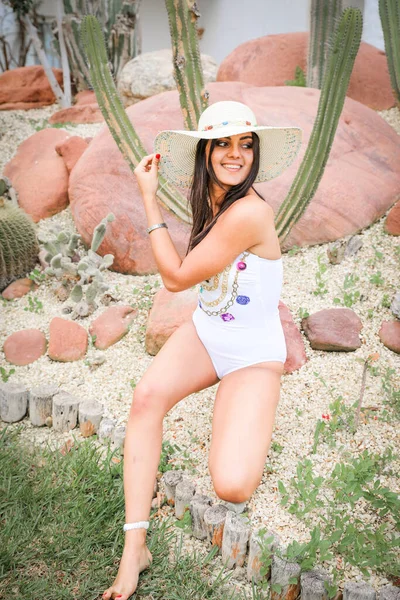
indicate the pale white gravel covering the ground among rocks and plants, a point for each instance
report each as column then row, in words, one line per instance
column 304, row 398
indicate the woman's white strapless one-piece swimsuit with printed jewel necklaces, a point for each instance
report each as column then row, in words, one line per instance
column 237, row 317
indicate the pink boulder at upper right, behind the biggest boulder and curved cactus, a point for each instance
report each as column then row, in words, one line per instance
column 272, row 60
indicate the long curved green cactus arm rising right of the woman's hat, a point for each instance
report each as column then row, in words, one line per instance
column 341, row 60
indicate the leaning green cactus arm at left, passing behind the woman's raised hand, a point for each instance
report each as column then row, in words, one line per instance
column 116, row 118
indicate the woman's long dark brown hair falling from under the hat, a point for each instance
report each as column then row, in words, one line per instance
column 204, row 174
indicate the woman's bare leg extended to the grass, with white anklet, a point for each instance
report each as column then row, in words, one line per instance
column 181, row 368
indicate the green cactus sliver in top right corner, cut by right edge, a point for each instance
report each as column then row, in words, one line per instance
column 389, row 11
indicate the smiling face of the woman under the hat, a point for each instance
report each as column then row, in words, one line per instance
column 232, row 158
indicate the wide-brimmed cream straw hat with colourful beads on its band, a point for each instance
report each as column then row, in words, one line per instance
column 279, row 146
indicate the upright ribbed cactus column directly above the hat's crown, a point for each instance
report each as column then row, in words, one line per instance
column 182, row 16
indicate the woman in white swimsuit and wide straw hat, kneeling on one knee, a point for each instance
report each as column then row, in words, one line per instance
column 235, row 336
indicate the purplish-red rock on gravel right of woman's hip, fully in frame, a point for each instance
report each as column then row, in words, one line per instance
column 333, row 329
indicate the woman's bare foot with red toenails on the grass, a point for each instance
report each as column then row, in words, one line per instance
column 133, row 562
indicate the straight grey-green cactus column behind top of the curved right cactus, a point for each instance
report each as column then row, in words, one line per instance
column 324, row 16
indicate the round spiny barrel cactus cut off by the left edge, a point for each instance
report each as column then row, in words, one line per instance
column 19, row 247
